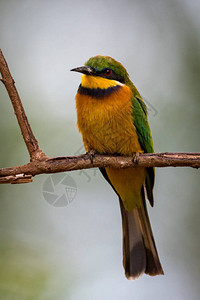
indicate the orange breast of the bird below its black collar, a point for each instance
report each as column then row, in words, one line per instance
column 106, row 124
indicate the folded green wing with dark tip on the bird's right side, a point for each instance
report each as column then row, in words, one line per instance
column 144, row 136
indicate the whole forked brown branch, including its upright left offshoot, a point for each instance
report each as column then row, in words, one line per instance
column 41, row 164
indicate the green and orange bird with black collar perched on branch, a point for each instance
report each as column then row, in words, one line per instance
column 112, row 119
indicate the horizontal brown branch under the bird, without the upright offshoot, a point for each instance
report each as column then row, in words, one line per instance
column 63, row 164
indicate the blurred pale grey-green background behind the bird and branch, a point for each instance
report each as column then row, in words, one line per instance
column 74, row 252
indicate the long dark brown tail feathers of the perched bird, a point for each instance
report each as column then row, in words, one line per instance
column 139, row 249
